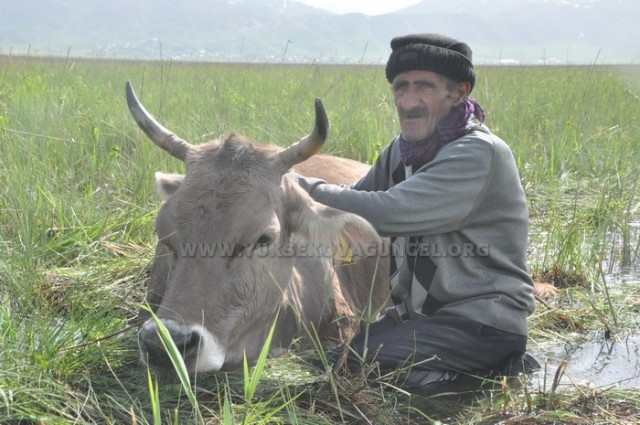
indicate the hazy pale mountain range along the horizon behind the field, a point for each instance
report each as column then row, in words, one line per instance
column 575, row 31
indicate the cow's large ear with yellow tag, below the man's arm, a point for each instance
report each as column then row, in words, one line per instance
column 334, row 232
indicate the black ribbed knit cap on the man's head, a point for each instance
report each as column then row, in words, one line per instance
column 431, row 52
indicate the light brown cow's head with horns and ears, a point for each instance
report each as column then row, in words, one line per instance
column 227, row 232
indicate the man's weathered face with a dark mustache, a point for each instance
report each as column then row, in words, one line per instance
column 422, row 100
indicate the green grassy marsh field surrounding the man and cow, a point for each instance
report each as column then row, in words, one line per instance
column 76, row 234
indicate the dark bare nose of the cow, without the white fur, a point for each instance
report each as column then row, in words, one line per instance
column 152, row 350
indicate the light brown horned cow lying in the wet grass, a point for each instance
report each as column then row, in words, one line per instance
column 242, row 248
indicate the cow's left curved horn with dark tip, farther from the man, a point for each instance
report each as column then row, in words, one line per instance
column 158, row 134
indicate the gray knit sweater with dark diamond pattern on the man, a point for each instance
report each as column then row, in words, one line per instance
column 458, row 227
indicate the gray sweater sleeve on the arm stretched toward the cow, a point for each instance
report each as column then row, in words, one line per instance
column 436, row 199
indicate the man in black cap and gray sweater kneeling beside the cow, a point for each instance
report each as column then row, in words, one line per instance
column 447, row 192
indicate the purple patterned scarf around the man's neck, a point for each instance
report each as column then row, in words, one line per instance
column 452, row 127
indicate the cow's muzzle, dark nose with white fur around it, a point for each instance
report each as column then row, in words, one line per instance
column 197, row 346
